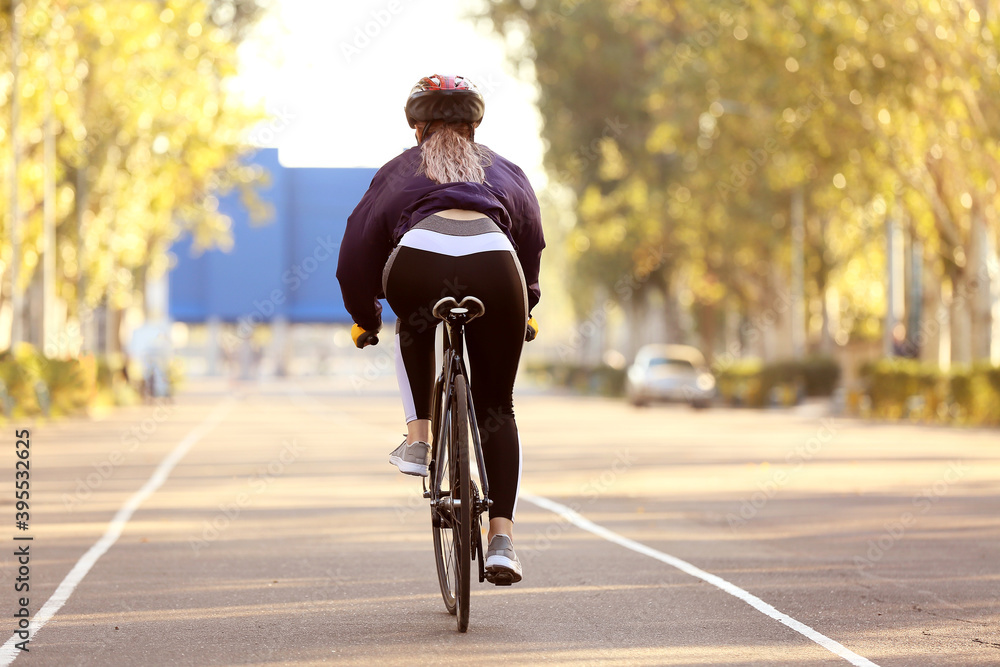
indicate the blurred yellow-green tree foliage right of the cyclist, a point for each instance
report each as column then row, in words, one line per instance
column 869, row 112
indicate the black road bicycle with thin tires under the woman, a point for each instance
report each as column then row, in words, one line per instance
column 456, row 503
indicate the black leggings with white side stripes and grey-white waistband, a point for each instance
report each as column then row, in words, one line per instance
column 468, row 258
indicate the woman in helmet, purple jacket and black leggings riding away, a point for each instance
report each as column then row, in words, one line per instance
column 449, row 217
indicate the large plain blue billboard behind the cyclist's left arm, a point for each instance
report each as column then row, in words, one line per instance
column 284, row 268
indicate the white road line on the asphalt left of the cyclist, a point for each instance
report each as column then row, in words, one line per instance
column 8, row 652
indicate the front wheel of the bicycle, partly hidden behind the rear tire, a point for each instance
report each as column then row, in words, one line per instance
column 442, row 521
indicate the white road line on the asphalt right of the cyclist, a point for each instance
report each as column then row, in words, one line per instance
column 586, row 524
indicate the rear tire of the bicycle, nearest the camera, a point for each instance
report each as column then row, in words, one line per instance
column 462, row 532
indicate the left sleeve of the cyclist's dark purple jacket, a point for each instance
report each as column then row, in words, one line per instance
column 364, row 251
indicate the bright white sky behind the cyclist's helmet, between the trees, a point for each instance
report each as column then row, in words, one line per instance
column 334, row 77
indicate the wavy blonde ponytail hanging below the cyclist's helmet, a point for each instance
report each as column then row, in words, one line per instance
column 449, row 155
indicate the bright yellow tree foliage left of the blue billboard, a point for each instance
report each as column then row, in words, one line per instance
column 145, row 134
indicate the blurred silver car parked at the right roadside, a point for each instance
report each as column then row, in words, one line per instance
column 670, row 373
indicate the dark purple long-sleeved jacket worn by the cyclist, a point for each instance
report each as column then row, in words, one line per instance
column 398, row 198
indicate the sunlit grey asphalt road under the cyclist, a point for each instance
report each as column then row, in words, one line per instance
column 279, row 534
